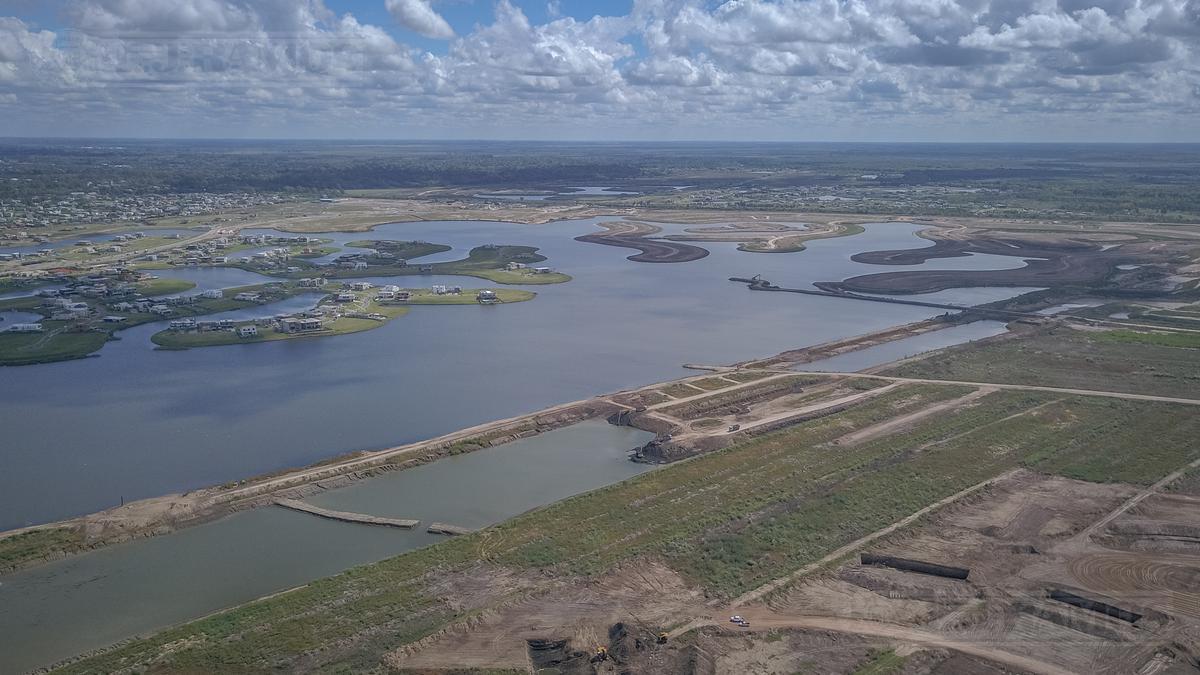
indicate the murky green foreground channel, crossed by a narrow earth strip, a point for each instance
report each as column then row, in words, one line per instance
column 74, row 606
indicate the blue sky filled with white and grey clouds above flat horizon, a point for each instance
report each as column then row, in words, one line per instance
column 591, row 70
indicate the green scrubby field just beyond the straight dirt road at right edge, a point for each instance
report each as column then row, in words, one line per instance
column 1070, row 359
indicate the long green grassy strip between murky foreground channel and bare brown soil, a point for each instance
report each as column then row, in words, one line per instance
column 729, row 522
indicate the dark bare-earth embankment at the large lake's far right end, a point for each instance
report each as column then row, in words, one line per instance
column 1049, row 264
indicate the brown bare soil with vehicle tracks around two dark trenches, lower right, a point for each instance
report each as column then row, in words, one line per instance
column 1019, row 539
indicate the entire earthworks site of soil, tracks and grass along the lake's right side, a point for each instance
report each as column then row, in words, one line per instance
column 1024, row 504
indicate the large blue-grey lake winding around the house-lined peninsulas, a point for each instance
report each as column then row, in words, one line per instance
column 81, row 437
